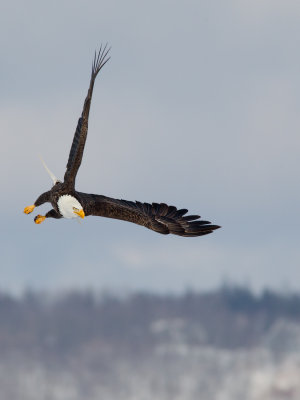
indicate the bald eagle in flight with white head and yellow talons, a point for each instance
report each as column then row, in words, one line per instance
column 69, row 203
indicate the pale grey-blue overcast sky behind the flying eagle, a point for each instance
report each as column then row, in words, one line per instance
column 198, row 107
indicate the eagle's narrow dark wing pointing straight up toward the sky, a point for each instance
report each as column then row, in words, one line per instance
column 79, row 139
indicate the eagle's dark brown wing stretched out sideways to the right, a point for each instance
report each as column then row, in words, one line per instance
column 158, row 217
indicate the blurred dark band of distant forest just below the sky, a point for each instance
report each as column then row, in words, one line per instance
column 228, row 318
